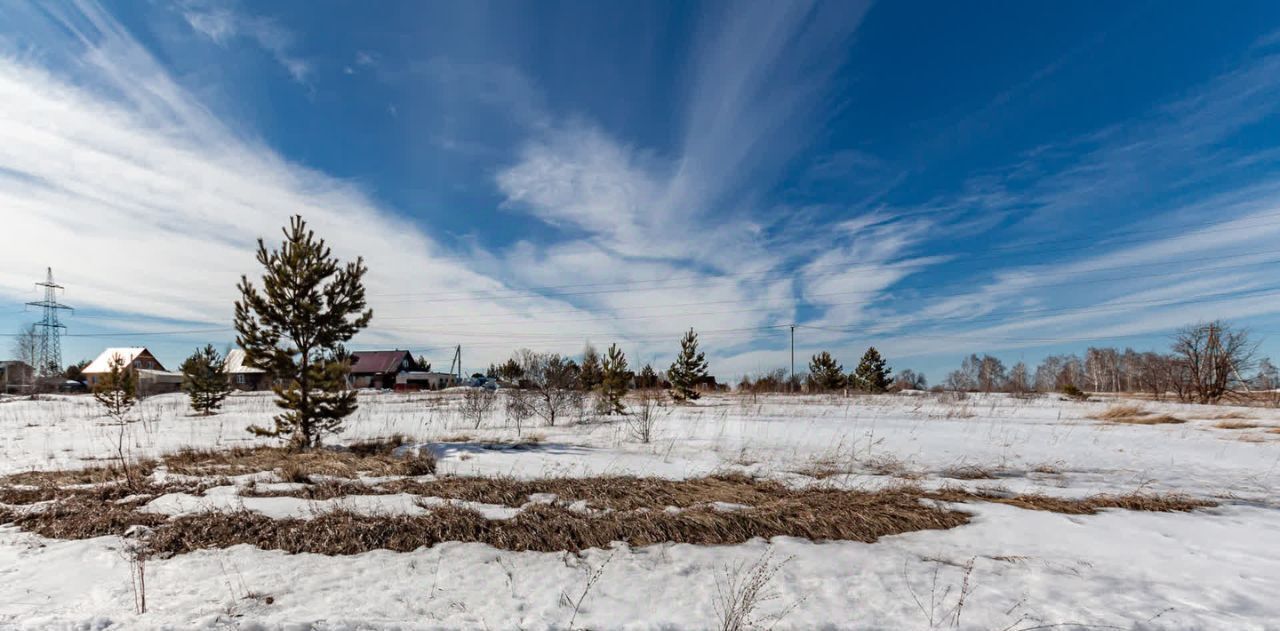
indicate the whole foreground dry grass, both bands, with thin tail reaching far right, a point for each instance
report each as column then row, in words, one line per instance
column 637, row 515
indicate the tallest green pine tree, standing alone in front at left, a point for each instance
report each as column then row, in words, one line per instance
column 295, row 328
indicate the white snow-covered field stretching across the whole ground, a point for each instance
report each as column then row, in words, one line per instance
column 1017, row 569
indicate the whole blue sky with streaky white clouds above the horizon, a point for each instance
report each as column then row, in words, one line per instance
column 932, row 179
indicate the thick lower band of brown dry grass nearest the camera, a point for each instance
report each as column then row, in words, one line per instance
column 845, row 516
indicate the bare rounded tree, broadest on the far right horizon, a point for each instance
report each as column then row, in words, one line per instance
column 1214, row 358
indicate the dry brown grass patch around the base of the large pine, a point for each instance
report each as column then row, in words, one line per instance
column 368, row 458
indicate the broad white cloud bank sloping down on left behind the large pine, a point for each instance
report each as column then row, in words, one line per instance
column 152, row 207
